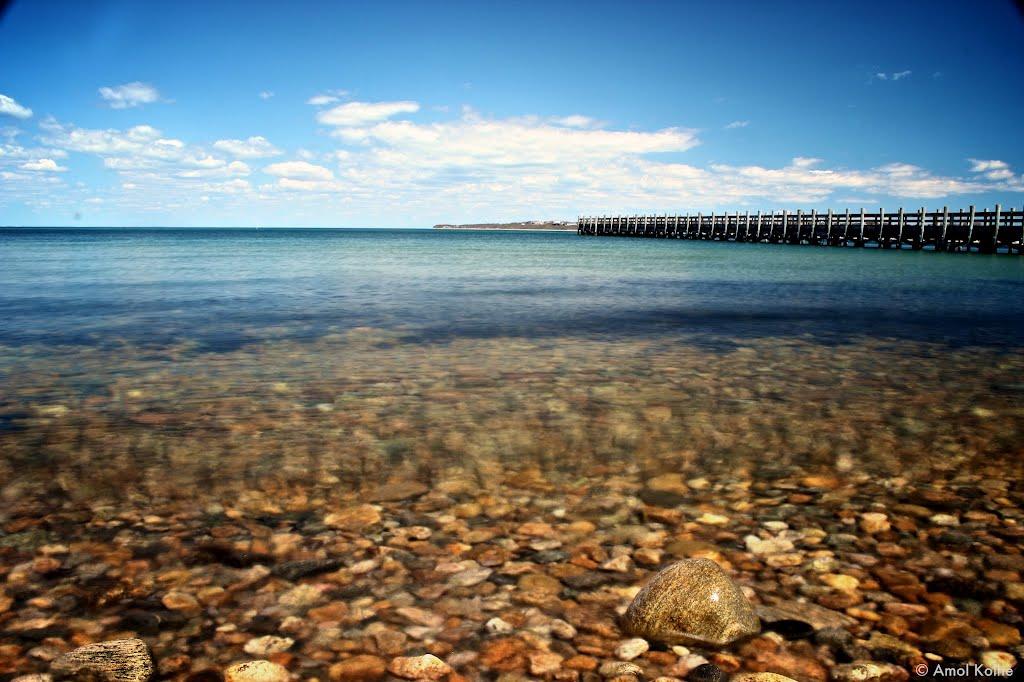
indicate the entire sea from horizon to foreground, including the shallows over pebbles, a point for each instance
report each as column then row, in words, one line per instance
column 373, row 445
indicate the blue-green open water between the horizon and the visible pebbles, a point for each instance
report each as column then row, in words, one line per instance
column 225, row 288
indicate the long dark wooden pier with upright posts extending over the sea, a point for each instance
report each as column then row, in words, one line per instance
column 965, row 231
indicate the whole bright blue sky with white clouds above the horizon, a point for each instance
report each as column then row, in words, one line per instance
column 395, row 114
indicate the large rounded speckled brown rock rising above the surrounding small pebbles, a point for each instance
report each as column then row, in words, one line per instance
column 692, row 603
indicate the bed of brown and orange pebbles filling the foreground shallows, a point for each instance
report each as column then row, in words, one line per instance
column 490, row 508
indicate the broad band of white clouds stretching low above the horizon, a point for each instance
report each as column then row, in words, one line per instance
column 461, row 166
